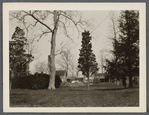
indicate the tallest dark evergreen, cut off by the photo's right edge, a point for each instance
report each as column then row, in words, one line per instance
column 129, row 39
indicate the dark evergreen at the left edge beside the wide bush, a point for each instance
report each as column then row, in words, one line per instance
column 18, row 57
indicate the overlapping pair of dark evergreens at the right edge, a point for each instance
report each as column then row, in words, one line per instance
column 125, row 48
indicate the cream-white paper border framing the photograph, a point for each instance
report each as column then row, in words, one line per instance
column 75, row 6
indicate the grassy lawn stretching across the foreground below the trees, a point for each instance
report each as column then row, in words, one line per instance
column 102, row 95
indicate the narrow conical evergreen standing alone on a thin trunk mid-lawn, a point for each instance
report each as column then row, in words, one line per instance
column 87, row 60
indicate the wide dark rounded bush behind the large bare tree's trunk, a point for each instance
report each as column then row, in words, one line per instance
column 37, row 81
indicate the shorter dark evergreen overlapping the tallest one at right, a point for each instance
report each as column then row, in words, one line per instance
column 115, row 68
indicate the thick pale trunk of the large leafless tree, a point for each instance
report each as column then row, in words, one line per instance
column 52, row 61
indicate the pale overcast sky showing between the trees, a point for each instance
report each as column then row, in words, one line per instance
column 99, row 29
